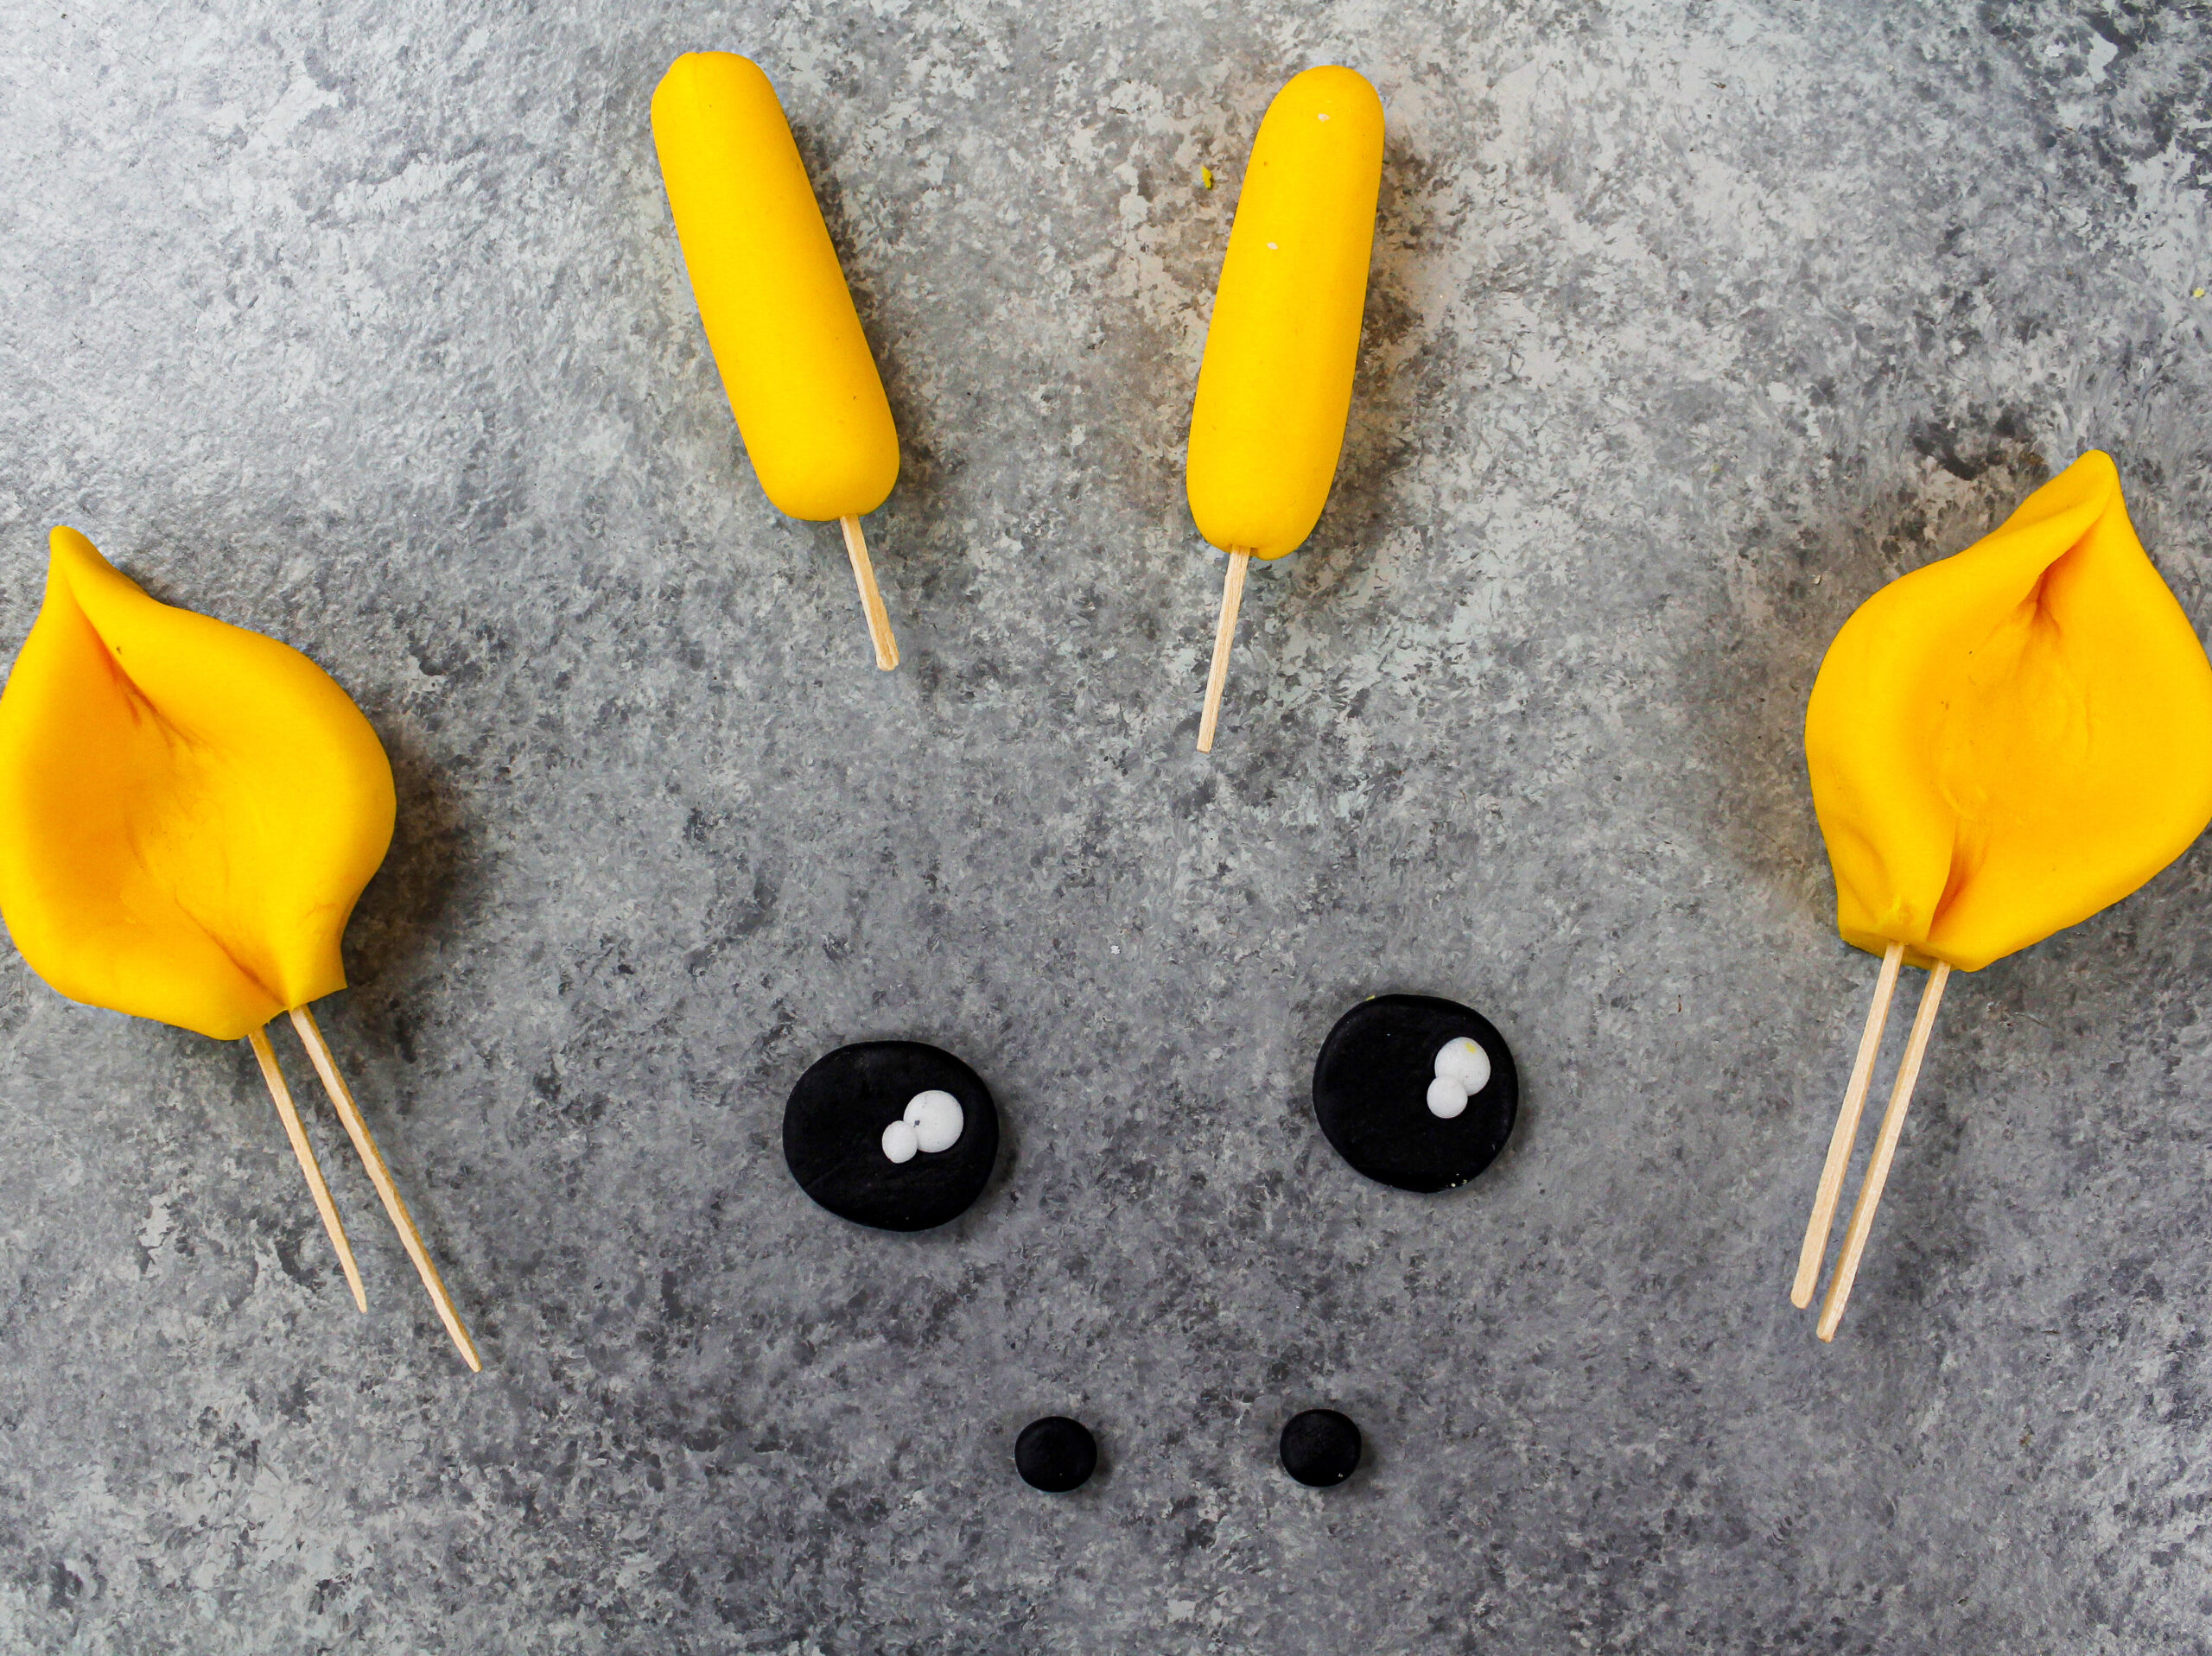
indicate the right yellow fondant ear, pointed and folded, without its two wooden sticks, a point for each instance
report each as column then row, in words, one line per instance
column 2012, row 740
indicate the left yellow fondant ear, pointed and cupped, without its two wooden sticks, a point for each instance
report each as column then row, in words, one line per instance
column 187, row 810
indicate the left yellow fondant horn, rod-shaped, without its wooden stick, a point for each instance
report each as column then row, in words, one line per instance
column 771, row 291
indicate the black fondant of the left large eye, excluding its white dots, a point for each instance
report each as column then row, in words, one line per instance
column 833, row 1135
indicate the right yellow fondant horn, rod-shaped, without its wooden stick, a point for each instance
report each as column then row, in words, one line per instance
column 1275, row 384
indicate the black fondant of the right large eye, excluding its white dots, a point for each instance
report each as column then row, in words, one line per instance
column 1373, row 1093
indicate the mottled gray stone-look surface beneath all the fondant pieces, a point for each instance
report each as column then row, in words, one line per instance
column 1691, row 324
